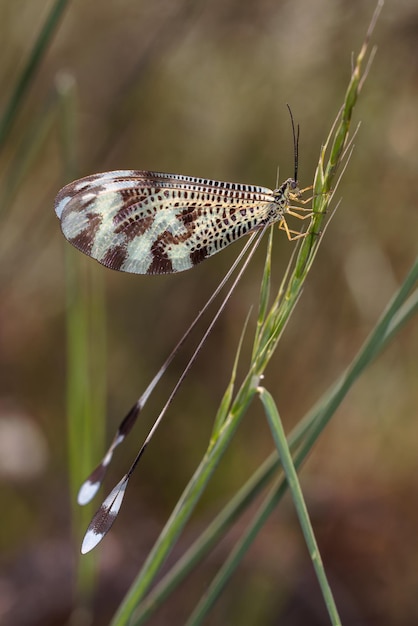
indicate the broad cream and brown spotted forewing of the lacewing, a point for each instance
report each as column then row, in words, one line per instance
column 155, row 223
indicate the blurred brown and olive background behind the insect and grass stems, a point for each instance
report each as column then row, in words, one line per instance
column 200, row 88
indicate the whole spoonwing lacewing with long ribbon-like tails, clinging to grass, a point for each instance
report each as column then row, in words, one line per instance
column 154, row 223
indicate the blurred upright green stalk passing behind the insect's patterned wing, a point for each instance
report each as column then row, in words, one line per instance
column 86, row 355
